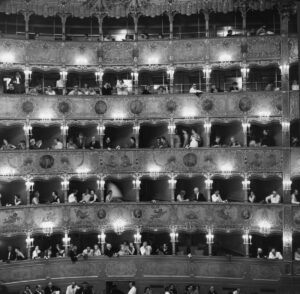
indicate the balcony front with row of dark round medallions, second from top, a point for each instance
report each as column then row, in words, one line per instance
column 145, row 107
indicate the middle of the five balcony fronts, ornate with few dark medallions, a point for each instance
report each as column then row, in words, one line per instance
column 50, row 163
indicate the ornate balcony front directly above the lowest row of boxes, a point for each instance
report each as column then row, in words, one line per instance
column 188, row 217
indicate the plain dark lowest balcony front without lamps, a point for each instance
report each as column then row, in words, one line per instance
column 145, row 268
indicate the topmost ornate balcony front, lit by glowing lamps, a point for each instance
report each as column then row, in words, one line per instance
column 50, row 54
